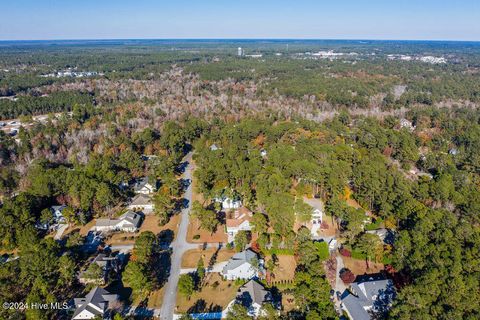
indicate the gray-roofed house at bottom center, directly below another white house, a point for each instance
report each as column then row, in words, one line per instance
column 253, row 296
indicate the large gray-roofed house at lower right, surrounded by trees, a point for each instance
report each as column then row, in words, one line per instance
column 369, row 298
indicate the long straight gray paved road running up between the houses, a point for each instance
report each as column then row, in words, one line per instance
column 179, row 246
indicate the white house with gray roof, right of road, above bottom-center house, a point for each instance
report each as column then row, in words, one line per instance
column 243, row 265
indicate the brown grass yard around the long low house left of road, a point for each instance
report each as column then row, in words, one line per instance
column 149, row 224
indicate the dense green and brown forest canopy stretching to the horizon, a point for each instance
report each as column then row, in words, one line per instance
column 400, row 138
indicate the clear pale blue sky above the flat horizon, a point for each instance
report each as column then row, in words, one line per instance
column 305, row 19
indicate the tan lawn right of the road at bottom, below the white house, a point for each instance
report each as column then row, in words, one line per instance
column 210, row 298
